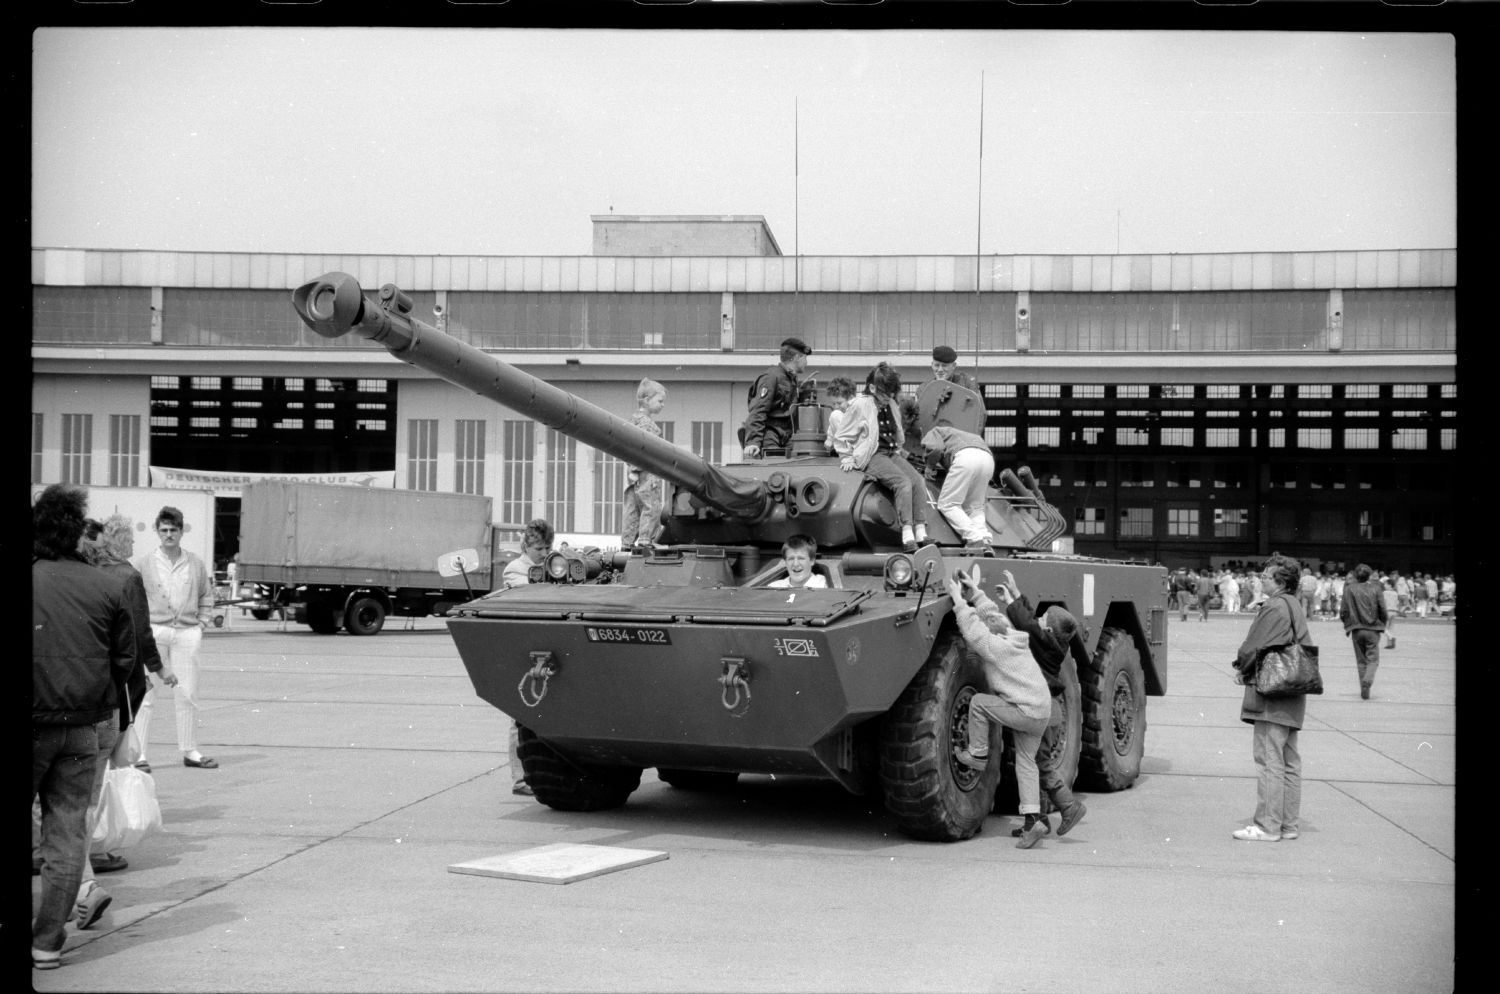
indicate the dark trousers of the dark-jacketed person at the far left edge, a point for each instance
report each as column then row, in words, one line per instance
column 64, row 759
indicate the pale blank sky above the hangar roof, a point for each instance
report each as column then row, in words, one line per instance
column 425, row 142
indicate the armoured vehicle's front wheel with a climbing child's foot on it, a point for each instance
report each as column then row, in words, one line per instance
column 931, row 794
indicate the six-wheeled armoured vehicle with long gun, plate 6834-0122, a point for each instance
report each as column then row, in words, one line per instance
column 688, row 662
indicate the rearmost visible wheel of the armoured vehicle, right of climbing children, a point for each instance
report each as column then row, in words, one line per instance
column 1114, row 714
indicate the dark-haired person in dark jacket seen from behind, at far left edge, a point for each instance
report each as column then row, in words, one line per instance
column 83, row 645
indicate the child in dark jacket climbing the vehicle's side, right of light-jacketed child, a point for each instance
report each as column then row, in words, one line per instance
column 1052, row 638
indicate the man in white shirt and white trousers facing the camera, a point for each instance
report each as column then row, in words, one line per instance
column 181, row 596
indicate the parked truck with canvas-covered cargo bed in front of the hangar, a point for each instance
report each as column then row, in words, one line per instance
column 343, row 557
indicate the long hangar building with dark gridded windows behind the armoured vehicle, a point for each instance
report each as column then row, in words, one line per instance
column 1187, row 410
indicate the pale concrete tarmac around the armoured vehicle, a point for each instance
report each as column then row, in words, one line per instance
column 355, row 771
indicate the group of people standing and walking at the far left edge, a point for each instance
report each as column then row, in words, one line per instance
column 103, row 627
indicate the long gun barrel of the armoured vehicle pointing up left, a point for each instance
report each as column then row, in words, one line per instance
column 334, row 305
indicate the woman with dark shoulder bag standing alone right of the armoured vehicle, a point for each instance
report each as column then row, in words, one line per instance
column 1279, row 792
